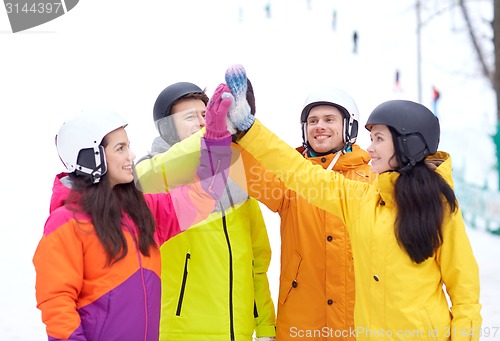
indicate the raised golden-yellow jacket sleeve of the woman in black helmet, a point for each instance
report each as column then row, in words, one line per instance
column 325, row 189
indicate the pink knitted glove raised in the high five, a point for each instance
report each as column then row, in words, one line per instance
column 217, row 110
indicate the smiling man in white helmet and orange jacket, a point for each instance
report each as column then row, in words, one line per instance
column 316, row 294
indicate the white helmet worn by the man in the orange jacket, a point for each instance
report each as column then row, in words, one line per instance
column 339, row 99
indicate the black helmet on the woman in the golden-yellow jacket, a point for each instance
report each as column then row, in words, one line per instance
column 415, row 129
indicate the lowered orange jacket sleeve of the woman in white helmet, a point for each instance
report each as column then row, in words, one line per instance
column 58, row 262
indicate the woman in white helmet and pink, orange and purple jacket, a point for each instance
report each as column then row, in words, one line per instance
column 98, row 262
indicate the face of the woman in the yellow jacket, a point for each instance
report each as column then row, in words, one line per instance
column 381, row 149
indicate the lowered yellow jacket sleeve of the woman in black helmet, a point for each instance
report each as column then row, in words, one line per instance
column 460, row 274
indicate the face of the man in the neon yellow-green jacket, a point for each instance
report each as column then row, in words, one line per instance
column 188, row 116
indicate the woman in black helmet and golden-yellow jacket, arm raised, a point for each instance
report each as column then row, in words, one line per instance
column 408, row 238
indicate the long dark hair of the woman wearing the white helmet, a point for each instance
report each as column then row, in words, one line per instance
column 106, row 206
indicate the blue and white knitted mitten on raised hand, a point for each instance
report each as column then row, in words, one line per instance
column 240, row 114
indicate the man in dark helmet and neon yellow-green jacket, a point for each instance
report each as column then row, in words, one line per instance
column 214, row 276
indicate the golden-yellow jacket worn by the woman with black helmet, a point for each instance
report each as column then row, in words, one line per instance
column 395, row 298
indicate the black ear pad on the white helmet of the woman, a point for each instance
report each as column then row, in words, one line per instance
column 92, row 160
